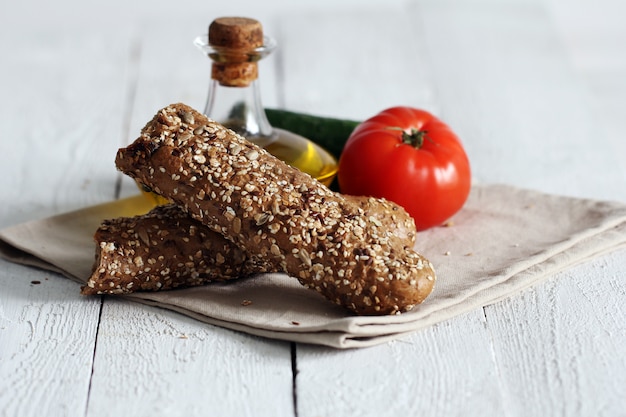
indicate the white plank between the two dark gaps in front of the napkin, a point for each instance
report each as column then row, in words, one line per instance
column 151, row 362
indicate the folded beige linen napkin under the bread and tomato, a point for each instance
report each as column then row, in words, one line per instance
column 504, row 240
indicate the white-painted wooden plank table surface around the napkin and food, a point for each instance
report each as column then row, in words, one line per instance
column 537, row 91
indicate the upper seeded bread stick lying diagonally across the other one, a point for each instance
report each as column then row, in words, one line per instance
column 276, row 213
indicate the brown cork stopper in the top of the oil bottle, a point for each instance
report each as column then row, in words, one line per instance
column 235, row 38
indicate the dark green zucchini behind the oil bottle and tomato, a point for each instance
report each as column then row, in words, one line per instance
column 330, row 133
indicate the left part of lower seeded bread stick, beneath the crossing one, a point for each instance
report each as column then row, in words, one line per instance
column 163, row 249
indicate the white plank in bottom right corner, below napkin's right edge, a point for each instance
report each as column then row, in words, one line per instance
column 559, row 346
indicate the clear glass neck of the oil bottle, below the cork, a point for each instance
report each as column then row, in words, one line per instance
column 239, row 108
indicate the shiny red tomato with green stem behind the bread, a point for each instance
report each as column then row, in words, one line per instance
column 410, row 157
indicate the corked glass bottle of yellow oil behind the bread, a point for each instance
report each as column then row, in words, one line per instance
column 235, row 45
